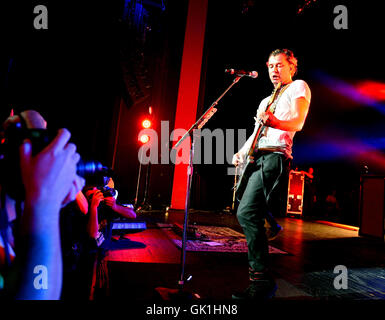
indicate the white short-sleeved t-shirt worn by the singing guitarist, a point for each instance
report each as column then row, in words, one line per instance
column 275, row 138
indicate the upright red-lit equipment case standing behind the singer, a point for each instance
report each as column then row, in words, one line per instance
column 295, row 193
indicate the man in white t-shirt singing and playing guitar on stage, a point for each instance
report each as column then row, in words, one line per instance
column 266, row 188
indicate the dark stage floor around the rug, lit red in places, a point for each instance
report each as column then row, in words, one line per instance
column 149, row 259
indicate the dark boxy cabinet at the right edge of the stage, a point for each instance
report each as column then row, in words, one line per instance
column 372, row 206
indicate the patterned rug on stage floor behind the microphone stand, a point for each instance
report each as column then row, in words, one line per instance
column 216, row 239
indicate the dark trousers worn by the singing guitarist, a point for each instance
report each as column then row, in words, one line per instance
column 266, row 191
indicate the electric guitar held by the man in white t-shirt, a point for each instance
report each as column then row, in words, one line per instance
column 244, row 170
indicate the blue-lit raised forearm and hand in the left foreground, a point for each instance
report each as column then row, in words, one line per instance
column 49, row 179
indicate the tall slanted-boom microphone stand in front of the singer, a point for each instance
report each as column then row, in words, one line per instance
column 179, row 294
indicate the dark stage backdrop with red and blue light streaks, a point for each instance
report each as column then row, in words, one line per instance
column 101, row 64
